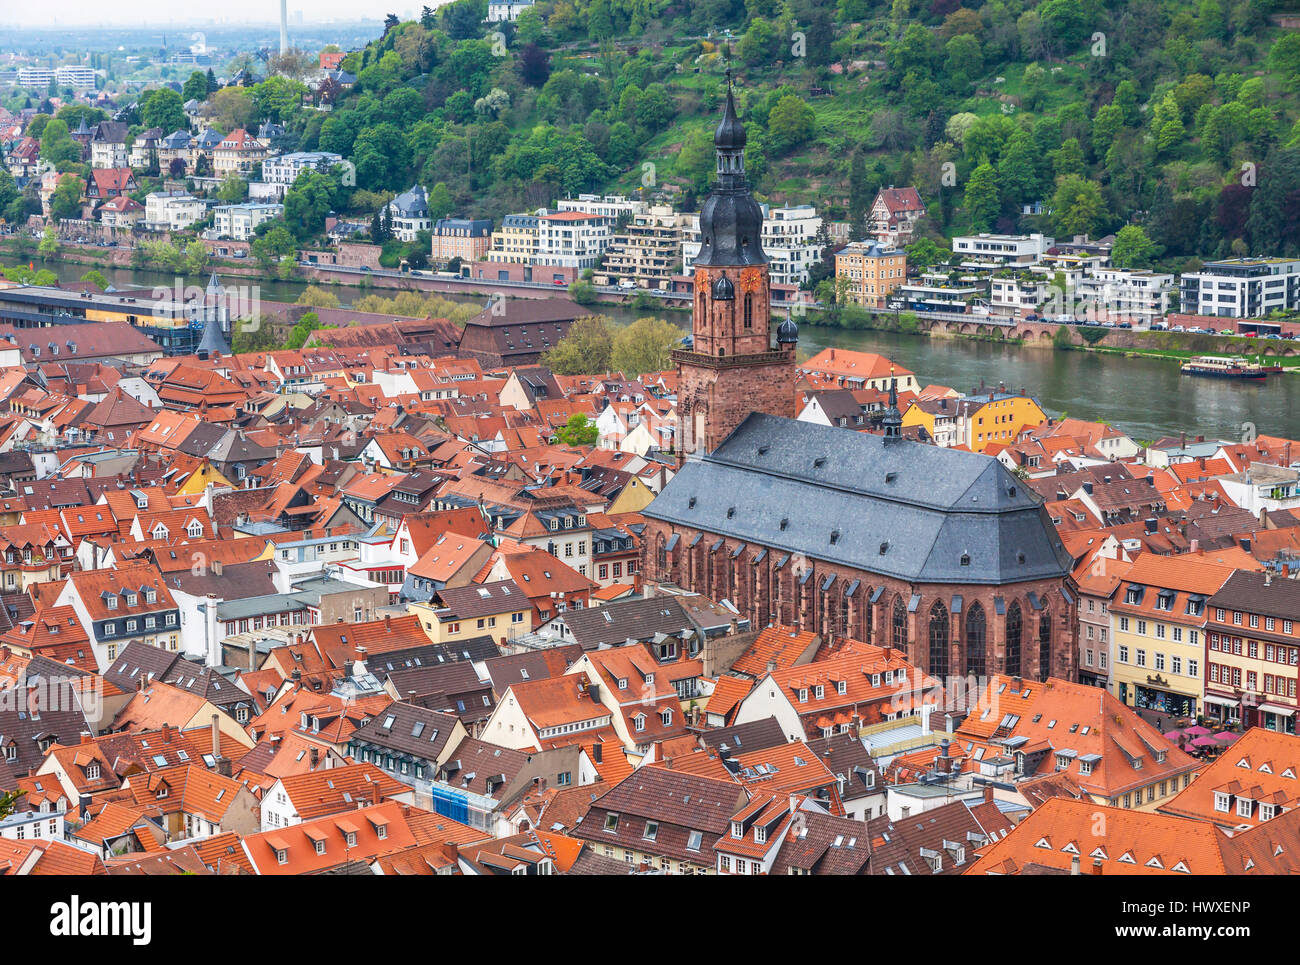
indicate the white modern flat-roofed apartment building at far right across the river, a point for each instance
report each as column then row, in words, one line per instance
column 1242, row 288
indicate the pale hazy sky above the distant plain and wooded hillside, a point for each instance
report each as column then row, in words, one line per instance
column 142, row 14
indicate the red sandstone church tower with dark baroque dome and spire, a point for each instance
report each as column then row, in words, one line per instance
column 738, row 364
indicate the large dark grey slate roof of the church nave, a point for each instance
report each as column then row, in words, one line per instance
column 894, row 508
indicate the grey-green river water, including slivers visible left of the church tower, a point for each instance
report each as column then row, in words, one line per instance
column 1145, row 397
